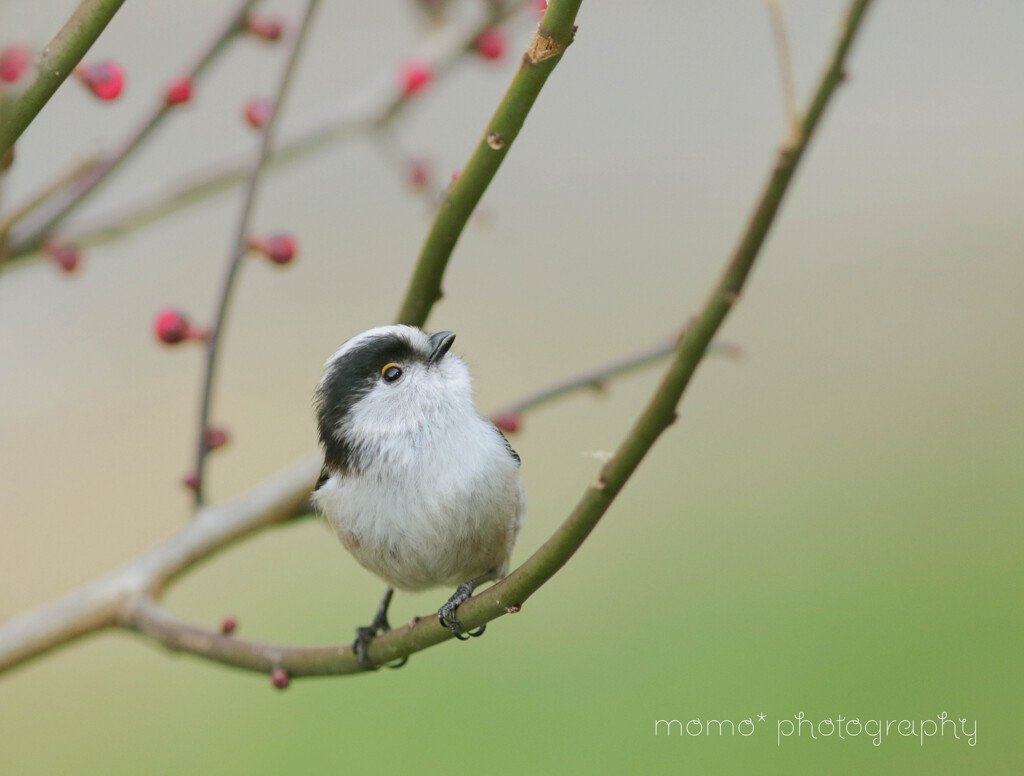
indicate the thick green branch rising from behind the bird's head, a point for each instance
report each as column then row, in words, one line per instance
column 554, row 34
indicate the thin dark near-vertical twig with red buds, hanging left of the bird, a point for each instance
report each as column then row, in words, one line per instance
column 241, row 247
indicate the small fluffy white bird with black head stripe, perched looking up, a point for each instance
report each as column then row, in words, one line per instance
column 420, row 489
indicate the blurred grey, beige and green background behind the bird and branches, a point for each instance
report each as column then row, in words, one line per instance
column 833, row 529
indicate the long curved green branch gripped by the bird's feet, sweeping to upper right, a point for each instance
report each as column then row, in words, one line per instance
column 508, row 595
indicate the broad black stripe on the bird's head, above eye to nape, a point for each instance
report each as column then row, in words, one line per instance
column 348, row 380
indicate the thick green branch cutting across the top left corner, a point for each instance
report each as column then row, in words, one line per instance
column 56, row 63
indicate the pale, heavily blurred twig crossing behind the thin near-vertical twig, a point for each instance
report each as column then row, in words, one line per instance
column 452, row 49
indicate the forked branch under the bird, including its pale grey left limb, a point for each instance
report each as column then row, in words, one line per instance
column 127, row 598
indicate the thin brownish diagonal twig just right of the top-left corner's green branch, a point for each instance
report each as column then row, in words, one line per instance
column 71, row 197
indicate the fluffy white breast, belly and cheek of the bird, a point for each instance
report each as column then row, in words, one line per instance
column 437, row 498
